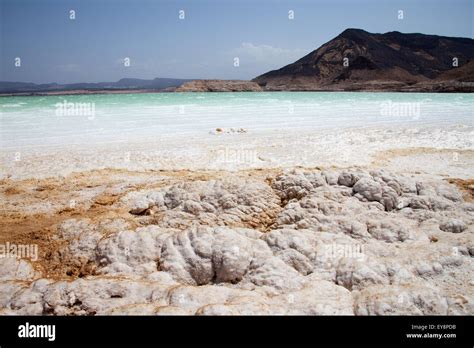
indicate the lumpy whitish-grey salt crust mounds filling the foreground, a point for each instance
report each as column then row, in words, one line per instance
column 345, row 242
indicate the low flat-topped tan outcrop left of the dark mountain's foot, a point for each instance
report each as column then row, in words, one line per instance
column 219, row 86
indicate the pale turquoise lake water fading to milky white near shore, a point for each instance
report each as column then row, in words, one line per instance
column 76, row 119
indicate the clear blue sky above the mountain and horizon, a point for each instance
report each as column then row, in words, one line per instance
column 92, row 48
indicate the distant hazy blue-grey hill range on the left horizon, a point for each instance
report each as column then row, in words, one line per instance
column 122, row 84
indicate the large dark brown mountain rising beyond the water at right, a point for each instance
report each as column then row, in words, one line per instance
column 390, row 61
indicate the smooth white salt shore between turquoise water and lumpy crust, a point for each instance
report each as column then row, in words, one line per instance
column 266, row 149
